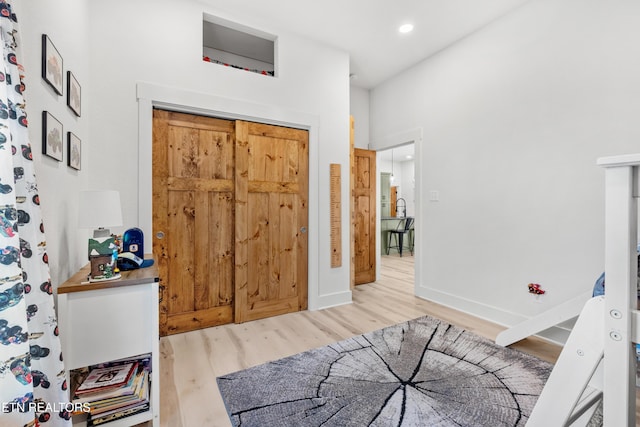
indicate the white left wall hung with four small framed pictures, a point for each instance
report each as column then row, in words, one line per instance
column 66, row 23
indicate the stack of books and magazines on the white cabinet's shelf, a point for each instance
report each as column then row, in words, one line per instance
column 115, row 390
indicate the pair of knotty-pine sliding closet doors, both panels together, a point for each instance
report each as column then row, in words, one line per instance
column 229, row 220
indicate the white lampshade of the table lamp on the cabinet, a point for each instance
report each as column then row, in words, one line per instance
column 98, row 210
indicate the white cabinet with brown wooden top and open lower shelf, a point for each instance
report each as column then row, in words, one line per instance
column 105, row 321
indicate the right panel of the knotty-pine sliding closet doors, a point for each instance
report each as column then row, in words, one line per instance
column 271, row 184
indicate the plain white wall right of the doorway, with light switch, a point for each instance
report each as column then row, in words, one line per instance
column 514, row 118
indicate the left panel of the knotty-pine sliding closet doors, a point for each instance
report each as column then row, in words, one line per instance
column 193, row 208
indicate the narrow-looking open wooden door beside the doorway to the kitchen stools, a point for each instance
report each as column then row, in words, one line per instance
column 364, row 201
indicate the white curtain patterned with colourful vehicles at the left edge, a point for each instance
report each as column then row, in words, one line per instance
column 32, row 376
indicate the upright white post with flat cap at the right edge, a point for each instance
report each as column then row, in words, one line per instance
column 621, row 270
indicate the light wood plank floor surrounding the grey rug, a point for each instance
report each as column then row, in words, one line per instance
column 190, row 362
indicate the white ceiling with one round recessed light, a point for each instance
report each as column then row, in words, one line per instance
column 368, row 29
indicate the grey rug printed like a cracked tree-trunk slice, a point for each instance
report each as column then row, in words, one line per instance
column 423, row 372
